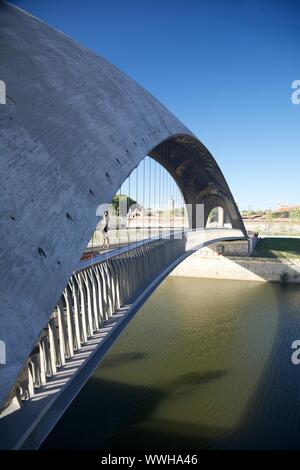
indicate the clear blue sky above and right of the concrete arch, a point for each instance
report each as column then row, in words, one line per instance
column 223, row 67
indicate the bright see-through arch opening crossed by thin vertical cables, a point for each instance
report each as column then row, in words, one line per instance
column 147, row 205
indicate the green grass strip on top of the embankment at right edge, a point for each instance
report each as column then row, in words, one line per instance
column 288, row 248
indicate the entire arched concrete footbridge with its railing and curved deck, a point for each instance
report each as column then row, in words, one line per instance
column 78, row 149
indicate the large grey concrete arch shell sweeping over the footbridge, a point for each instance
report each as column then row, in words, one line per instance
column 72, row 130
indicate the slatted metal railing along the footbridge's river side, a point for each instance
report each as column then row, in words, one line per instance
column 92, row 296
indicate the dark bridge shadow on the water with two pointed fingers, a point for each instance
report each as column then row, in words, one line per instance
column 125, row 419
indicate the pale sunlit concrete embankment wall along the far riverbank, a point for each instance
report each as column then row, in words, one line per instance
column 207, row 263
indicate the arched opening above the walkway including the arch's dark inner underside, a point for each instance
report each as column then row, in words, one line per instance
column 175, row 186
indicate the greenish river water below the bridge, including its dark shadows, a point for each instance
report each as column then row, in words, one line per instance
column 204, row 364
